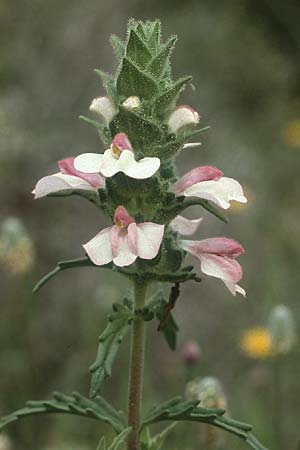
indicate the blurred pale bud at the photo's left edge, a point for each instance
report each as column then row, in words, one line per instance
column 16, row 247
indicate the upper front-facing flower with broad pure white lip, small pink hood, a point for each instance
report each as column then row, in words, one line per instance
column 118, row 158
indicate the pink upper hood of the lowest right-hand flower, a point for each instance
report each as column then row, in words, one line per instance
column 219, row 246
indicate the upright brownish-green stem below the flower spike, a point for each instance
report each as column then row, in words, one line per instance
column 136, row 367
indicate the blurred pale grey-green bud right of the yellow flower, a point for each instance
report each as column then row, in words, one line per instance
column 282, row 329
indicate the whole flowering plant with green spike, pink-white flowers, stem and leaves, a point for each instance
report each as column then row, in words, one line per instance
column 135, row 183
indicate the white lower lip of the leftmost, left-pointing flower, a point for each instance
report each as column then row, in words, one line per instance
column 59, row 182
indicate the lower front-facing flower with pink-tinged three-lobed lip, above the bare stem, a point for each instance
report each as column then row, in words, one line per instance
column 125, row 241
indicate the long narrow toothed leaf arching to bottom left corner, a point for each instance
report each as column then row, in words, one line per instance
column 76, row 404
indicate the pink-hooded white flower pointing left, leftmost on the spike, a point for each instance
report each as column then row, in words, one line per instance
column 68, row 179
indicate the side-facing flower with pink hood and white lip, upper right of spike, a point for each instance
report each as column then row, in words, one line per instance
column 209, row 183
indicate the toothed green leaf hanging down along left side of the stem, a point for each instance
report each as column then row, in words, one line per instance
column 109, row 343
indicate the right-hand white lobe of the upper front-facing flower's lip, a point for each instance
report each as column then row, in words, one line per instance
column 142, row 169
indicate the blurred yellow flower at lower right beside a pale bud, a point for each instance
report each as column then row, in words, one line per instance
column 256, row 343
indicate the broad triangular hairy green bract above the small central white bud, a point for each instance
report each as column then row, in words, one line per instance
column 133, row 81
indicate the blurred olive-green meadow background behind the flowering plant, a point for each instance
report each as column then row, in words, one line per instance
column 245, row 60
